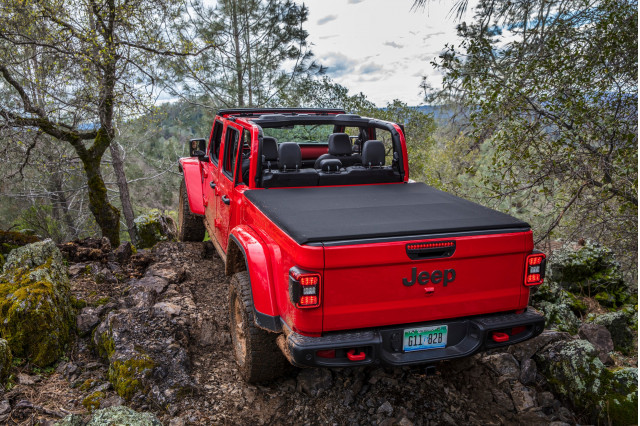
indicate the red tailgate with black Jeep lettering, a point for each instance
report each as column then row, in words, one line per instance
column 378, row 284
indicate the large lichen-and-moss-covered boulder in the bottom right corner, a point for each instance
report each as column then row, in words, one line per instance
column 574, row 371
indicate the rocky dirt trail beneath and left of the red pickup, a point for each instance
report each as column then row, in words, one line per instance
column 154, row 336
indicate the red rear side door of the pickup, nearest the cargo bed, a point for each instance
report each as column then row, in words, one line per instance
column 225, row 184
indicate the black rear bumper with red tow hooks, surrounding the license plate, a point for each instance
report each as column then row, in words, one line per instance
column 466, row 336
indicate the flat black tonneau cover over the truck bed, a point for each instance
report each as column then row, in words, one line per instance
column 344, row 213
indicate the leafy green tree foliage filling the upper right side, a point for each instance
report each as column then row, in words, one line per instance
column 550, row 94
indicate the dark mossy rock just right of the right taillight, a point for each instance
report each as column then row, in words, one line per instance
column 591, row 271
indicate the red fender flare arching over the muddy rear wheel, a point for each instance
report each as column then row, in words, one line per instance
column 257, row 263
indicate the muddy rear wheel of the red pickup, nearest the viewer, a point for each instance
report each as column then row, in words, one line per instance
column 258, row 357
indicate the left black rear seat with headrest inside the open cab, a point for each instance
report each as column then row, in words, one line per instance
column 289, row 172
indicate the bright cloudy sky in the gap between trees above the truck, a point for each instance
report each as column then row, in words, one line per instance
column 380, row 47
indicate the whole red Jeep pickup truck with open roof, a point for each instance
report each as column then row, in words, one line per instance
column 337, row 258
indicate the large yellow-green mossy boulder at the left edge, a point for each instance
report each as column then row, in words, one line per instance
column 36, row 315
